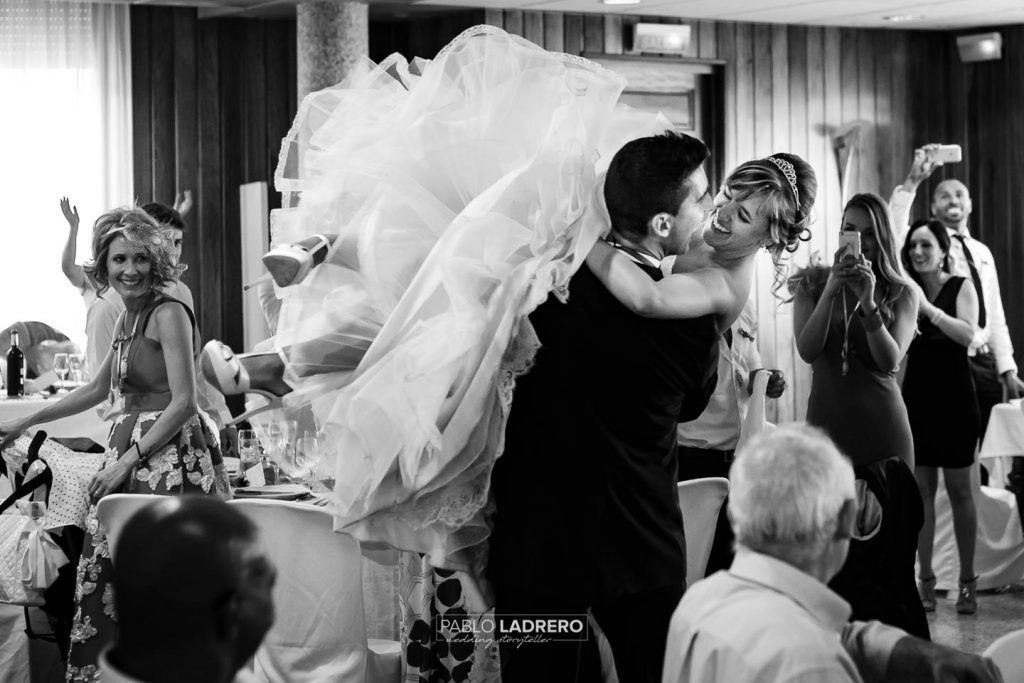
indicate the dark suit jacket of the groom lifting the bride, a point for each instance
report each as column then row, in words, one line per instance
column 586, row 488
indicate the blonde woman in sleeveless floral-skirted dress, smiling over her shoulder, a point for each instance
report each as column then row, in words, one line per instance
column 160, row 443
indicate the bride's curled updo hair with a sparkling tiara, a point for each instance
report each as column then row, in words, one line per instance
column 787, row 187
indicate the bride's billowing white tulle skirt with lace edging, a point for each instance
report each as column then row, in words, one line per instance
column 464, row 191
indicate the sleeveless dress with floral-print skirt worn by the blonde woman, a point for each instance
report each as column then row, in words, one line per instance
column 190, row 463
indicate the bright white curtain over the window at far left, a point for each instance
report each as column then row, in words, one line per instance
column 66, row 122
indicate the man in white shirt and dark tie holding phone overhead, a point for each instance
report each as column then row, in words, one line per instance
column 993, row 352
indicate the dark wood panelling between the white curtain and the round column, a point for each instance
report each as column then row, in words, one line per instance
column 212, row 101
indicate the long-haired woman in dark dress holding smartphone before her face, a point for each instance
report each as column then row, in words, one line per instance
column 855, row 323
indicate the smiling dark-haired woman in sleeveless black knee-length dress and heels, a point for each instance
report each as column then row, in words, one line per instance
column 941, row 401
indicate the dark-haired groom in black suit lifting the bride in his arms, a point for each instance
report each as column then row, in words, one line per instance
column 587, row 515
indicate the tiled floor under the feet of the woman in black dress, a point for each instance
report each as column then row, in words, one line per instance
column 999, row 613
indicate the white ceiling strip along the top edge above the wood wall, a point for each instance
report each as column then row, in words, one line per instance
column 921, row 14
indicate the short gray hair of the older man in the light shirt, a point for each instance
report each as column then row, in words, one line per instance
column 788, row 488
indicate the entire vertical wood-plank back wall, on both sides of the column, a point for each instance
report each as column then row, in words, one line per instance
column 784, row 88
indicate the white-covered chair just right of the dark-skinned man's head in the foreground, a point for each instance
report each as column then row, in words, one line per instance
column 319, row 632
